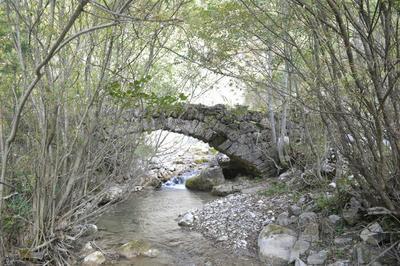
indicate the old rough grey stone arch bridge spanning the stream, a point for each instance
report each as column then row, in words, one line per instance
column 243, row 135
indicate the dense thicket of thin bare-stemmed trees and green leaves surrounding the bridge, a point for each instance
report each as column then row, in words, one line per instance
column 71, row 70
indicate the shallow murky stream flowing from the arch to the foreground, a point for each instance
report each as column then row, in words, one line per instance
column 152, row 216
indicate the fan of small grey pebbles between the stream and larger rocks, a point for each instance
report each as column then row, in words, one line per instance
column 235, row 221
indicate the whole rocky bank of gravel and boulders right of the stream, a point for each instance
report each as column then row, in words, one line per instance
column 283, row 228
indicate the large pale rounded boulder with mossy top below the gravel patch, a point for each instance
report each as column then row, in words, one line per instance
column 275, row 243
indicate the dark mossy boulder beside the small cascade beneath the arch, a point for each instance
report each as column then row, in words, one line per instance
column 206, row 180
